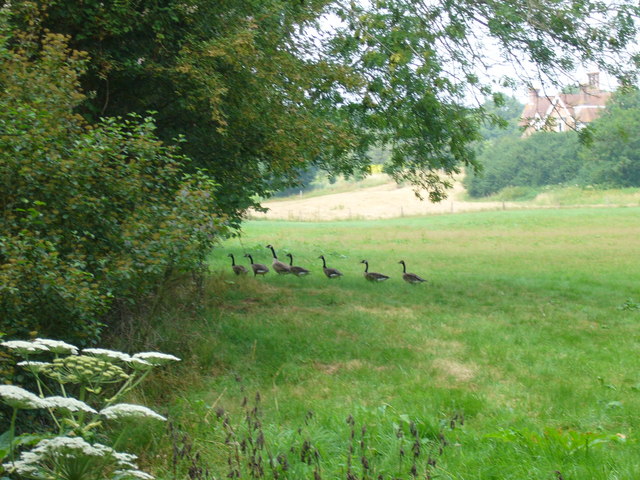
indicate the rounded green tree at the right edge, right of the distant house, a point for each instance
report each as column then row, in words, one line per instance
column 614, row 156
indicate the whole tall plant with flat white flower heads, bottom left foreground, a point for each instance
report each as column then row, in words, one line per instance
column 81, row 393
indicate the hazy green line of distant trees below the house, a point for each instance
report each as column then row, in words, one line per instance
column 606, row 155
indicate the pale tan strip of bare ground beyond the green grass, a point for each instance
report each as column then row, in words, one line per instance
column 383, row 201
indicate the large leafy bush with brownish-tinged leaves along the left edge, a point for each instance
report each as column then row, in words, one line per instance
column 89, row 213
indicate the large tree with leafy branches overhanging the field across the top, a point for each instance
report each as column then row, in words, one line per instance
column 259, row 88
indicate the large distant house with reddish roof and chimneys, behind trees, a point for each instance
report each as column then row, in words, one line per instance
column 564, row 111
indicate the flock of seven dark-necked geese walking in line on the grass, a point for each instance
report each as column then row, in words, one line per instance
column 282, row 268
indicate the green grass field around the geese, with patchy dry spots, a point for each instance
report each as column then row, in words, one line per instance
column 517, row 360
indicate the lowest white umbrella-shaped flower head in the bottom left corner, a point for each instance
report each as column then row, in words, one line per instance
column 53, row 452
